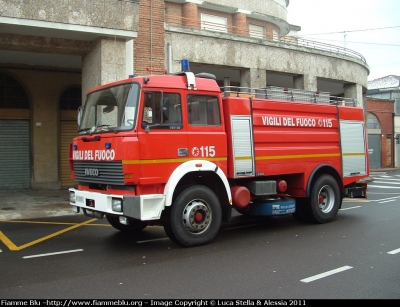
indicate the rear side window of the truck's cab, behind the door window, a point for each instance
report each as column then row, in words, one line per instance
column 203, row 110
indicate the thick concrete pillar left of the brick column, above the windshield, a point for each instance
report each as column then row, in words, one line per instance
column 105, row 63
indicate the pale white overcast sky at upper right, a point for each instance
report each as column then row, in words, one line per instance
column 369, row 27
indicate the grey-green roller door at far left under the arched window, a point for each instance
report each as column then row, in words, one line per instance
column 14, row 155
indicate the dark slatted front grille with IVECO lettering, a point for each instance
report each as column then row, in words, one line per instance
column 99, row 172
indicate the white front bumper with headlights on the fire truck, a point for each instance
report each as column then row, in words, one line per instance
column 143, row 207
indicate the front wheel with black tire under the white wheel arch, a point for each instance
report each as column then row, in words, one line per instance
column 194, row 218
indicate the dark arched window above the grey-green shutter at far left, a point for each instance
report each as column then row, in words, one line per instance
column 12, row 95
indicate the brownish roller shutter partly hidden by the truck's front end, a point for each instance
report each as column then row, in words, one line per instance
column 68, row 132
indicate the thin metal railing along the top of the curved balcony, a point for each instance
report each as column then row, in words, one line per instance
column 176, row 20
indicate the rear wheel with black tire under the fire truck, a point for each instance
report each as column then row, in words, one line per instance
column 323, row 204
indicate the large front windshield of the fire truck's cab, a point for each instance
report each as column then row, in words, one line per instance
column 110, row 109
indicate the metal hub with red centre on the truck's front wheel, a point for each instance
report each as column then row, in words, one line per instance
column 196, row 216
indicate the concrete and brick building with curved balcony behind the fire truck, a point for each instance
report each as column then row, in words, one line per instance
column 52, row 52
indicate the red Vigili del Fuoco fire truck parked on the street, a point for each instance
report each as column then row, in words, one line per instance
column 179, row 151
